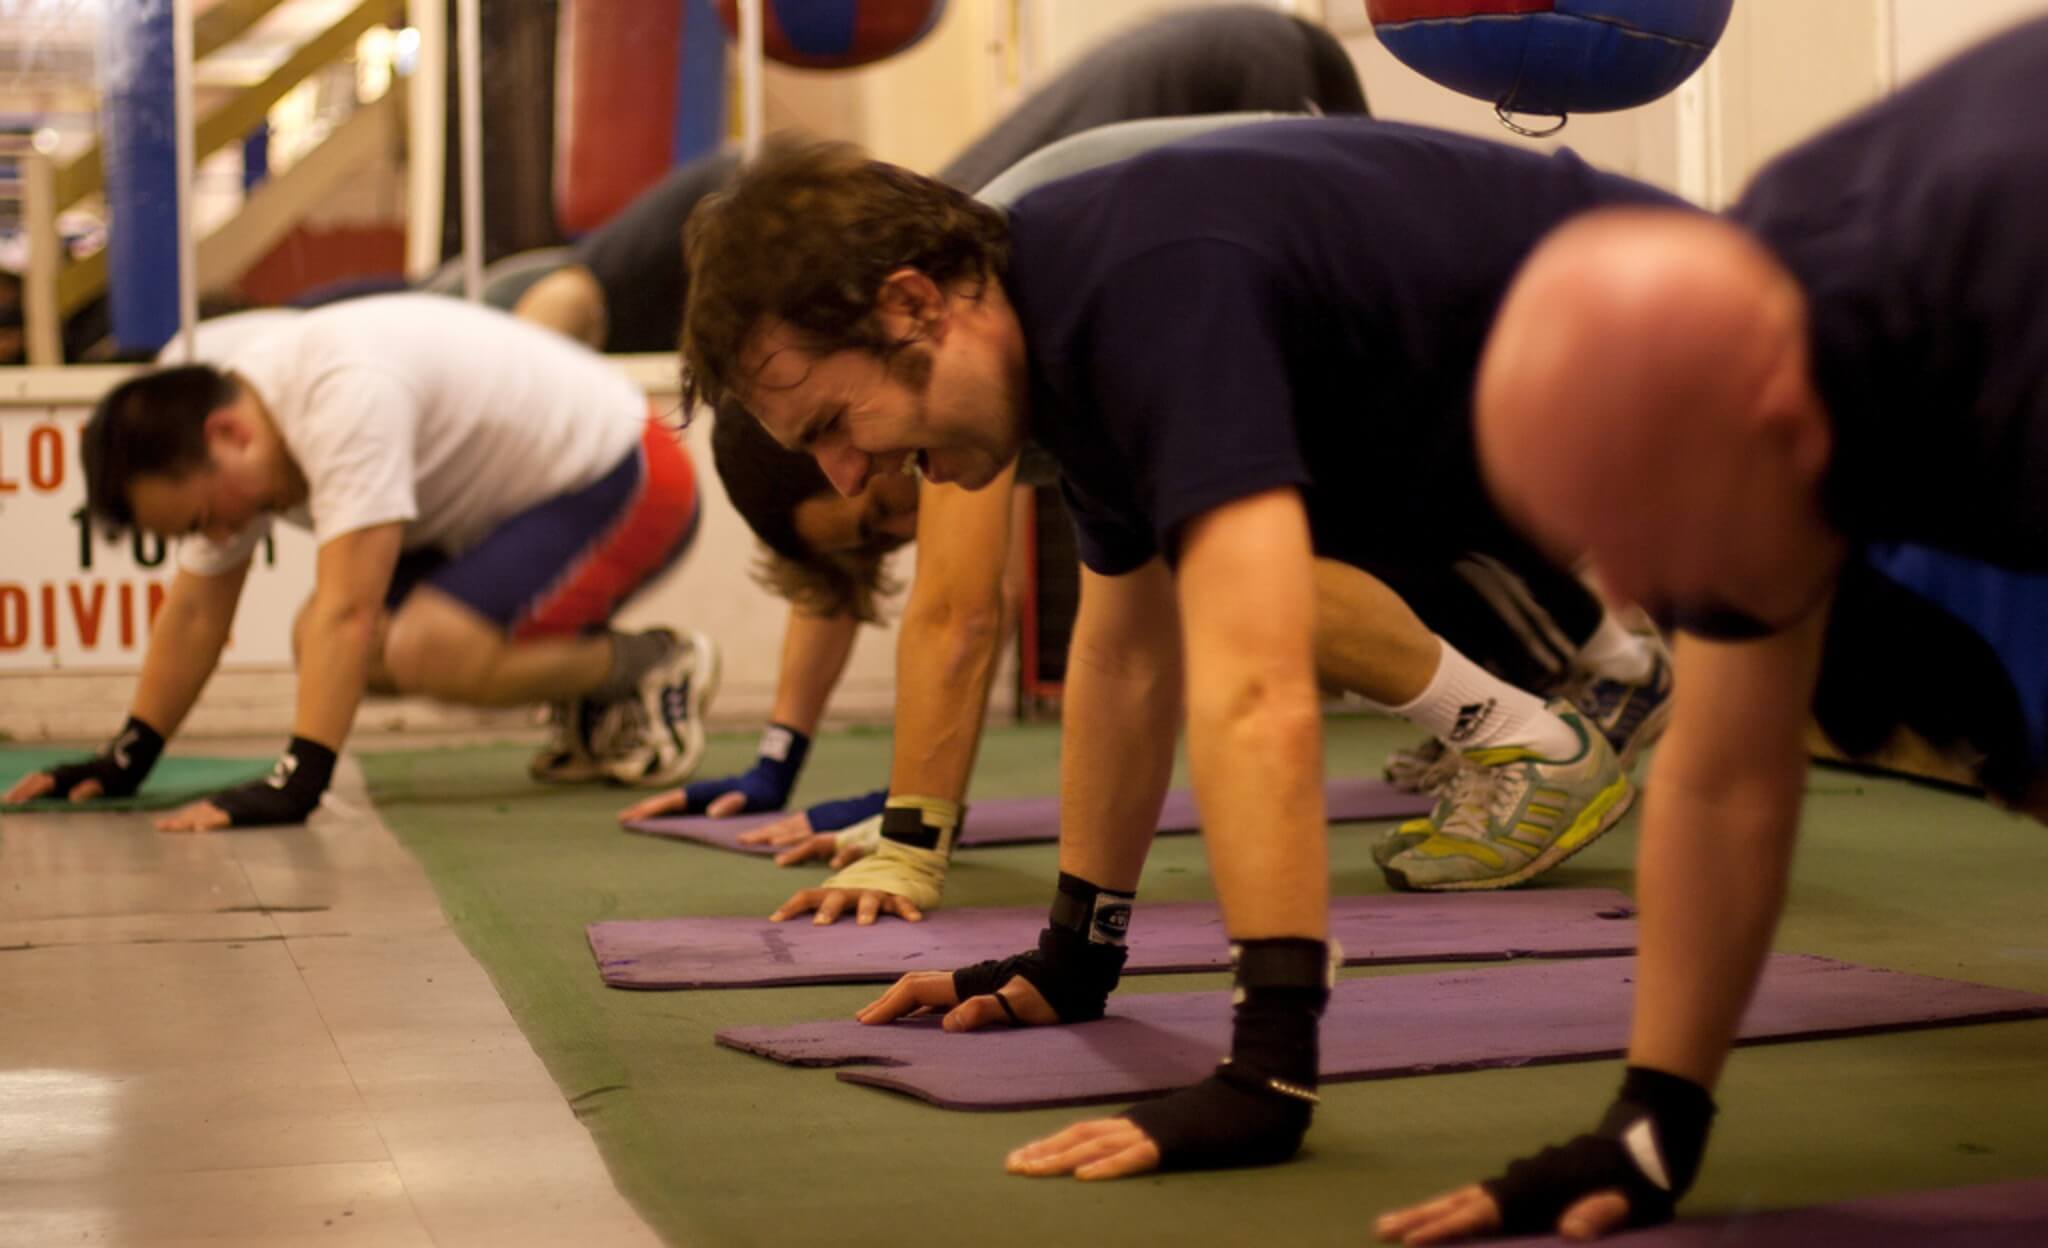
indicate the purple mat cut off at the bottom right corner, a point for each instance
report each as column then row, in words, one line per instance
column 1990, row 1216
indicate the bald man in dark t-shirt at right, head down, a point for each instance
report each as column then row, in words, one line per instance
column 1859, row 358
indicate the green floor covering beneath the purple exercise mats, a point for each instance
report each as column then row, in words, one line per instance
column 722, row 1149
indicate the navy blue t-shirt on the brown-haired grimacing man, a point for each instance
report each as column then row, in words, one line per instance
column 1279, row 304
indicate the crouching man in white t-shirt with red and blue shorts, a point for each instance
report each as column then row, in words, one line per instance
column 484, row 497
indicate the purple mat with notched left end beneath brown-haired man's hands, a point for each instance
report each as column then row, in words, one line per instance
column 1381, row 1028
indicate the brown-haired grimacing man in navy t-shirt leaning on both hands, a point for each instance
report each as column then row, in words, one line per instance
column 1218, row 341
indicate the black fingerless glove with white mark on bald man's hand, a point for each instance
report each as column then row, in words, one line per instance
column 1650, row 1149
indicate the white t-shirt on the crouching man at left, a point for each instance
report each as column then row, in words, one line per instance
column 421, row 409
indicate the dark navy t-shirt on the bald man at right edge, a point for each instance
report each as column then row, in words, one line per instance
column 1920, row 233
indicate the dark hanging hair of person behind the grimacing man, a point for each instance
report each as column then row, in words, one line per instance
column 767, row 485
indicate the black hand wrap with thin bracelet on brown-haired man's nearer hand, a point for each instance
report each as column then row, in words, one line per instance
column 1256, row 1108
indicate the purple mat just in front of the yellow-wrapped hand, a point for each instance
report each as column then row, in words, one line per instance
column 1172, row 938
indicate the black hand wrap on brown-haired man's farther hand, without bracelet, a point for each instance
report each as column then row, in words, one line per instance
column 1078, row 960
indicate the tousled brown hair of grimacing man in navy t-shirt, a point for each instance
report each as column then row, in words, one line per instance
column 806, row 235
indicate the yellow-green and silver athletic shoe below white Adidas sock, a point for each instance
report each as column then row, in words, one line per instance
column 1514, row 817
